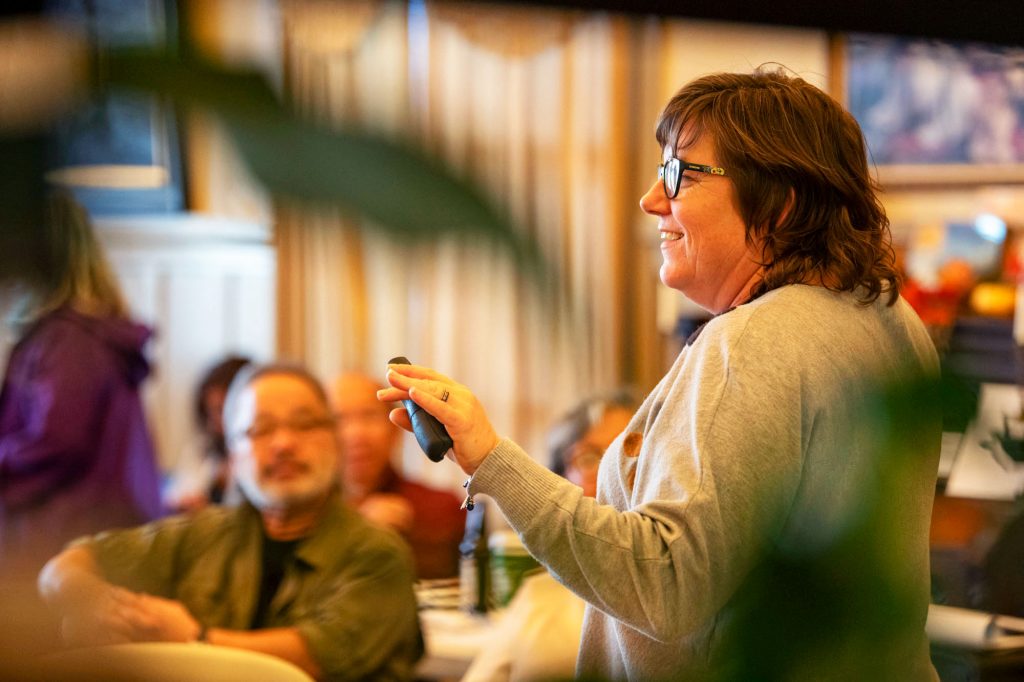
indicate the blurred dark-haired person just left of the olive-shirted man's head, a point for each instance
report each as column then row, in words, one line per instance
column 201, row 475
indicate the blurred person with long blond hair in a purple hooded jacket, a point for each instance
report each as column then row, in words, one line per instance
column 76, row 456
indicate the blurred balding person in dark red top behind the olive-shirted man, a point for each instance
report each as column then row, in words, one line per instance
column 432, row 521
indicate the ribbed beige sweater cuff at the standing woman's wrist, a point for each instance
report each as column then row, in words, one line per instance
column 520, row 486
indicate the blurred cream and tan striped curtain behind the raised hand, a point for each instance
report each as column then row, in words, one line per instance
column 529, row 119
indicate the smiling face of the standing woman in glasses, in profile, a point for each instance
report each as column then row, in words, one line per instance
column 704, row 239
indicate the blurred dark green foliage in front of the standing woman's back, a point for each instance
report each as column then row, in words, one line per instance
column 845, row 607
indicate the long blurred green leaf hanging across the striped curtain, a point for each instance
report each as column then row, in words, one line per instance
column 396, row 187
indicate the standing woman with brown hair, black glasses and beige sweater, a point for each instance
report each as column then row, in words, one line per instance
column 748, row 525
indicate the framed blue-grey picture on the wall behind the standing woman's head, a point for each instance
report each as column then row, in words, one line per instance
column 934, row 112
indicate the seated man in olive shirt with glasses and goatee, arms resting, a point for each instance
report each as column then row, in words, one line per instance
column 291, row 573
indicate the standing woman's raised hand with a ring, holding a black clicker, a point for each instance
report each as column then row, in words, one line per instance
column 453, row 405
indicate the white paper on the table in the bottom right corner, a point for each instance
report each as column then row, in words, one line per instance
column 976, row 631
